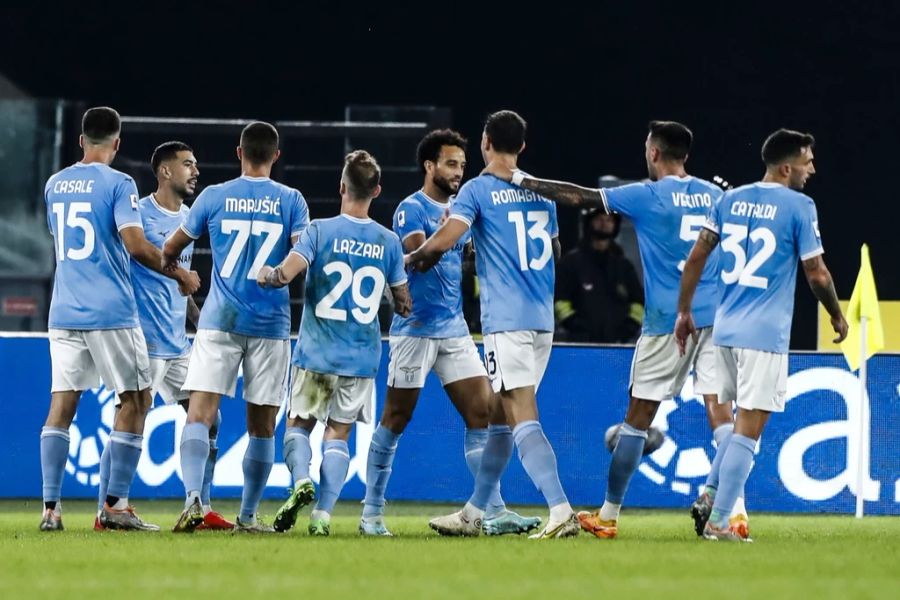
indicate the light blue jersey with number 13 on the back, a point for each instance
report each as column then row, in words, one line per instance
column 513, row 229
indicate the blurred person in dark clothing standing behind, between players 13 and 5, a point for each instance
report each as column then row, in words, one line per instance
column 599, row 298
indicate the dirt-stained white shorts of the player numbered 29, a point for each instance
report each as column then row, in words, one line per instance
column 323, row 396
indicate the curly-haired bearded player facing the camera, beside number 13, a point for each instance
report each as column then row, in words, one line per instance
column 434, row 336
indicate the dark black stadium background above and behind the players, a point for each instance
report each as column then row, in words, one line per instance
column 587, row 79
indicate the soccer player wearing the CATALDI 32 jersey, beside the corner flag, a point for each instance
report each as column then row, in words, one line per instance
column 765, row 229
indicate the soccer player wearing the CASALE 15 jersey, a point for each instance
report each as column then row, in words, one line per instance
column 92, row 212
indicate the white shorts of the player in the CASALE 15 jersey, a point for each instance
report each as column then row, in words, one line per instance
column 80, row 359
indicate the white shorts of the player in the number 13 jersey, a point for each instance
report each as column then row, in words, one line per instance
column 517, row 359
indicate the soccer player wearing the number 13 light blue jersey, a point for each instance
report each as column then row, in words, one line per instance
column 515, row 233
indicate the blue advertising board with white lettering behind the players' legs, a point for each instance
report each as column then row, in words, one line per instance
column 806, row 462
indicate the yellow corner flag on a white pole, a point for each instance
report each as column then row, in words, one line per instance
column 863, row 303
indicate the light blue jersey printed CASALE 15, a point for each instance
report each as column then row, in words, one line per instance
column 87, row 206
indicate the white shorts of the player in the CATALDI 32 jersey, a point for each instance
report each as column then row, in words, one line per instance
column 754, row 379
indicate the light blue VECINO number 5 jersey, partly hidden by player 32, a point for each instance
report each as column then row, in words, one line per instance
column 668, row 215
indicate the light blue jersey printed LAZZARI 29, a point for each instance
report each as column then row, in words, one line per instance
column 350, row 261
